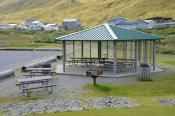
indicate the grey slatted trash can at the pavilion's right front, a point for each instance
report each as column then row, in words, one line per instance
column 144, row 72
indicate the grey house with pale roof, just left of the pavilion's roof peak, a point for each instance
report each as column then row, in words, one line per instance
column 72, row 24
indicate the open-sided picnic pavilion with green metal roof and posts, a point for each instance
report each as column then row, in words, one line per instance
column 136, row 47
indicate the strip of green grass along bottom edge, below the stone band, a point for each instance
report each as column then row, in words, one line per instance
column 145, row 111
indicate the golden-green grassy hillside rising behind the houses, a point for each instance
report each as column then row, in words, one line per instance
column 91, row 12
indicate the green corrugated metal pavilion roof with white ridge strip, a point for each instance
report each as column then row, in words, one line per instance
column 109, row 33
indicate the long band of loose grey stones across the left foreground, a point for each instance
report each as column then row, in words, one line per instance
column 63, row 105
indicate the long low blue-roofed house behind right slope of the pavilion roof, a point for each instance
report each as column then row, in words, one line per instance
column 133, row 25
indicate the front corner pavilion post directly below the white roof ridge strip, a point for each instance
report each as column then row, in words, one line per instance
column 114, row 57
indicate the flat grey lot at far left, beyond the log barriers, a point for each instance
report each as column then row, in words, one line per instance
column 15, row 59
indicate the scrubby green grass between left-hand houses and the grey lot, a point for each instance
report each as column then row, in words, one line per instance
column 15, row 36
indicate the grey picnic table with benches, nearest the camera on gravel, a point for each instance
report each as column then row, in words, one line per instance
column 43, row 82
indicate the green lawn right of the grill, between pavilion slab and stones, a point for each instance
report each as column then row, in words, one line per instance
column 156, row 88
